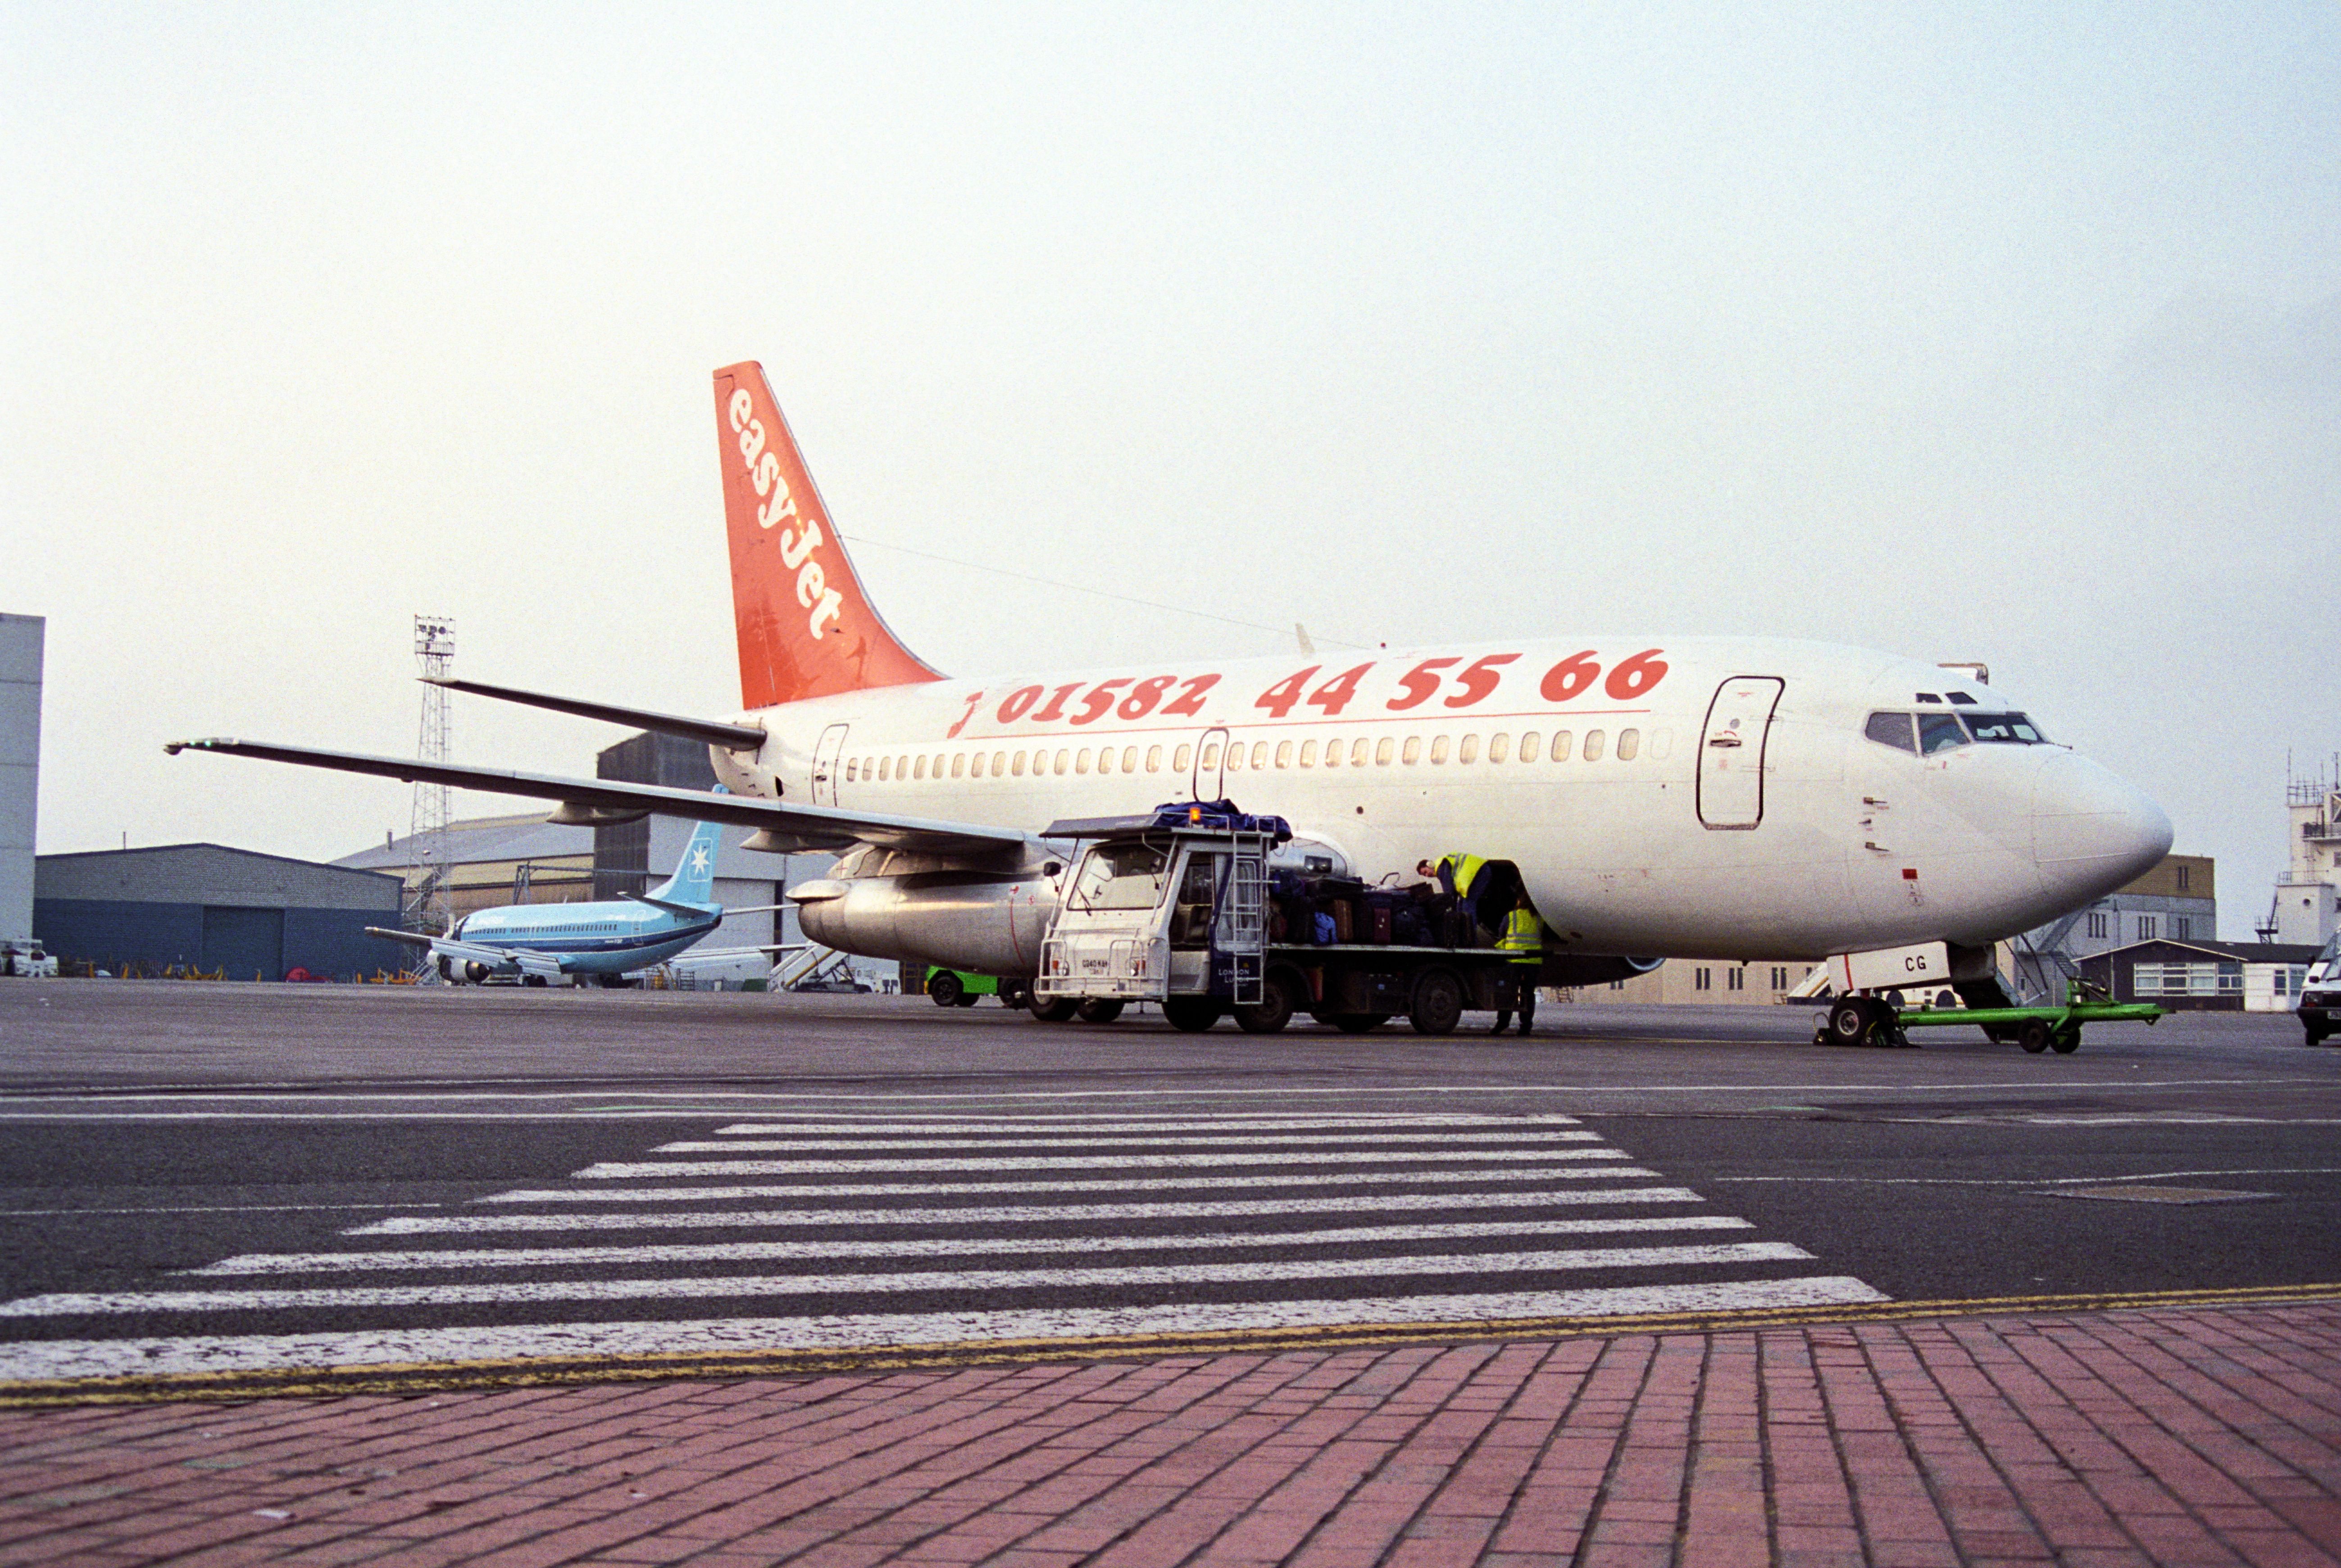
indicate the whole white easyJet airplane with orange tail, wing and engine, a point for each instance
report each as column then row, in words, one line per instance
column 1661, row 797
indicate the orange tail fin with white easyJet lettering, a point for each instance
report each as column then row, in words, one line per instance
column 806, row 628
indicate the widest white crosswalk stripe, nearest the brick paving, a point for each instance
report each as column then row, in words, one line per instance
column 406, row 1349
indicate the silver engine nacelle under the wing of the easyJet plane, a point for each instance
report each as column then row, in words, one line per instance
column 919, row 909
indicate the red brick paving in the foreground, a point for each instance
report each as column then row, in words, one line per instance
column 2188, row 1438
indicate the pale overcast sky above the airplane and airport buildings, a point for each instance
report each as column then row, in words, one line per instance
column 1961, row 333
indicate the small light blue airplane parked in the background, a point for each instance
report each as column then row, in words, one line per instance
column 565, row 942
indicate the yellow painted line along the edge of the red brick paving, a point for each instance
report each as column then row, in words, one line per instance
column 540, row 1373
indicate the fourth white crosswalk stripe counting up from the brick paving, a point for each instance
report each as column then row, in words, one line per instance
column 1041, row 1213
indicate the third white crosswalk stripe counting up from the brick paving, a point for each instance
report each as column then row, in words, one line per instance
column 945, row 1246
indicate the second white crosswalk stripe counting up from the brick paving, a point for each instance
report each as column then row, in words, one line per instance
column 78, row 1305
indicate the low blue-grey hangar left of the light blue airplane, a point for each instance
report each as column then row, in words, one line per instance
column 217, row 909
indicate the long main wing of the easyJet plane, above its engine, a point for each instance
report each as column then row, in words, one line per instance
column 816, row 827
